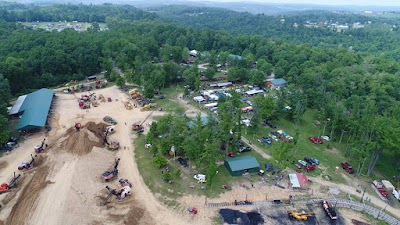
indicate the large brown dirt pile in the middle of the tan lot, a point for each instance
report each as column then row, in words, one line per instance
column 82, row 142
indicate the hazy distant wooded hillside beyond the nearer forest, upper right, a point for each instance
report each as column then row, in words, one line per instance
column 377, row 38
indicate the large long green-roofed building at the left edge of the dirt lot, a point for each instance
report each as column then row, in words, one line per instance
column 35, row 109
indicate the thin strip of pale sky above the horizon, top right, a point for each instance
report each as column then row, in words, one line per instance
column 324, row 2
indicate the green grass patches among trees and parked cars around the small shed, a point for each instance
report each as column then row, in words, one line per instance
column 329, row 157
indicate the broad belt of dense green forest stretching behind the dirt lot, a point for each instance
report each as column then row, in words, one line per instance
column 360, row 93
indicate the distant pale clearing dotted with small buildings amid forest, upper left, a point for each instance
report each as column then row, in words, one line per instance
column 51, row 26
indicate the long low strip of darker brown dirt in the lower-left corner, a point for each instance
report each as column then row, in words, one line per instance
column 20, row 211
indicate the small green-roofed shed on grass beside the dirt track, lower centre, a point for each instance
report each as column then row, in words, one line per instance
column 241, row 165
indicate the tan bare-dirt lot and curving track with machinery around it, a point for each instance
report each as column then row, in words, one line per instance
column 66, row 185
